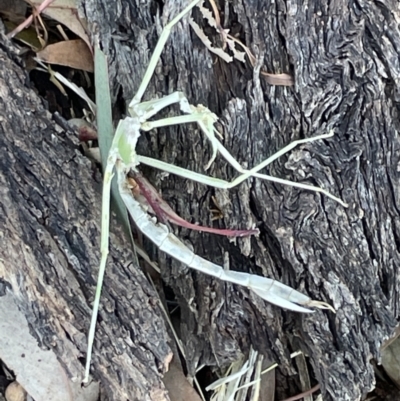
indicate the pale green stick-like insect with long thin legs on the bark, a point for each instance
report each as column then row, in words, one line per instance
column 123, row 158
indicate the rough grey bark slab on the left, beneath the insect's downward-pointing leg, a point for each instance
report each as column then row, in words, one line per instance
column 49, row 250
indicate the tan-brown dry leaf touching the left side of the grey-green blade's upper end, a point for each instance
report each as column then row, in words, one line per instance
column 71, row 53
